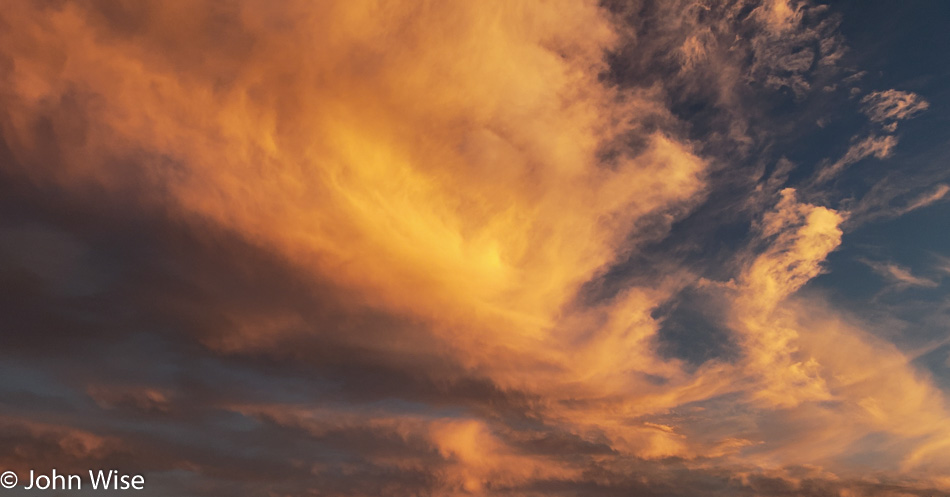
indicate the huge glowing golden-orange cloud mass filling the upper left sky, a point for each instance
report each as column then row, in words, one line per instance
column 352, row 173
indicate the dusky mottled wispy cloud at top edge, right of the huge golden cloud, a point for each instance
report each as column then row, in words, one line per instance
column 735, row 57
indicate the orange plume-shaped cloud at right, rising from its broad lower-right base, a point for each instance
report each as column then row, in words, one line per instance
column 830, row 381
